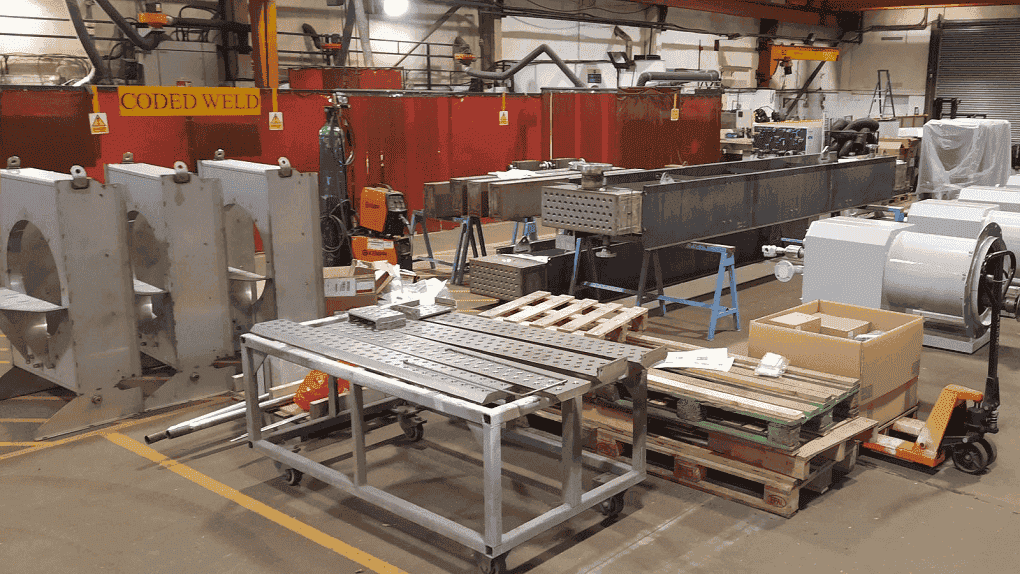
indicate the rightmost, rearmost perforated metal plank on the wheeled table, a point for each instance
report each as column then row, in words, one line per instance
column 568, row 342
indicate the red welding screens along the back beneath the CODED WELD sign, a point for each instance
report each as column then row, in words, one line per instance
column 403, row 139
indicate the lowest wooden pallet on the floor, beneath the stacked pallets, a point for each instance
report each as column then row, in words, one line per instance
column 699, row 467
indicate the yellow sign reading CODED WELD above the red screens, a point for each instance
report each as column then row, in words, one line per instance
column 170, row 100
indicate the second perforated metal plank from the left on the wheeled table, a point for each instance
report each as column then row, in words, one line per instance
column 492, row 368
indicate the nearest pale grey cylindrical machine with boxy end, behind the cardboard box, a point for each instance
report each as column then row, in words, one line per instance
column 923, row 270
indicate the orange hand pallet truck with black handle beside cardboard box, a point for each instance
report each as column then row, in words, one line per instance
column 954, row 430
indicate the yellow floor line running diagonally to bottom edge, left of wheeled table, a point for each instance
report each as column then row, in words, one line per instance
column 266, row 511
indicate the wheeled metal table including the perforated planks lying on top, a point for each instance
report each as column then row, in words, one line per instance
column 486, row 373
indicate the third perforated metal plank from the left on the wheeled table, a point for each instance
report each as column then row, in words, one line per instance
column 588, row 367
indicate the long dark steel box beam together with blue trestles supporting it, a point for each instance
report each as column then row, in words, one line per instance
column 664, row 210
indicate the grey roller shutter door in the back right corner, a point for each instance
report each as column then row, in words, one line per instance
column 978, row 64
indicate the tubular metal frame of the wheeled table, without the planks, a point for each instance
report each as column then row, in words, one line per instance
column 492, row 542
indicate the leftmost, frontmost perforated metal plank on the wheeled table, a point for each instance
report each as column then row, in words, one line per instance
column 424, row 373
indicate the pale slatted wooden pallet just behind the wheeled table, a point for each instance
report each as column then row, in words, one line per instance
column 567, row 315
